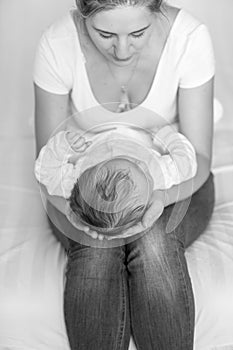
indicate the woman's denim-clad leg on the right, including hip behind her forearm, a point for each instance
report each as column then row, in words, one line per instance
column 158, row 274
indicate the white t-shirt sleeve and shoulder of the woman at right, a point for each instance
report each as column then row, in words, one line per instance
column 191, row 50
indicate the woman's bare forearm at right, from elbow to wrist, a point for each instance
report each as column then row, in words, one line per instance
column 186, row 189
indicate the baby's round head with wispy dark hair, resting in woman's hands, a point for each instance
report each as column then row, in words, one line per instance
column 106, row 198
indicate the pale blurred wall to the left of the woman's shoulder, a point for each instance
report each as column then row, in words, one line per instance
column 21, row 24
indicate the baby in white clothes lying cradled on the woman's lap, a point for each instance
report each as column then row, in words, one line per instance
column 108, row 186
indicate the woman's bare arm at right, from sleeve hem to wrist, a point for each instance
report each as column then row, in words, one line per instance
column 196, row 123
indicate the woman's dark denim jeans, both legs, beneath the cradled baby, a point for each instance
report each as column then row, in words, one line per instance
column 142, row 288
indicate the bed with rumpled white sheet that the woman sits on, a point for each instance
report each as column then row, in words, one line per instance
column 33, row 261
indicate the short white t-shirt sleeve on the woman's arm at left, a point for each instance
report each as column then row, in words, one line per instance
column 51, row 72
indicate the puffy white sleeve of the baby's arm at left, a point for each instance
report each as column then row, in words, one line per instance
column 52, row 167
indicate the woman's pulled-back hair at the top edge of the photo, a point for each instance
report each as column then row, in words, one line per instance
column 90, row 7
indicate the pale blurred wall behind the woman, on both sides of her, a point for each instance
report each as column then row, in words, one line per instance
column 22, row 22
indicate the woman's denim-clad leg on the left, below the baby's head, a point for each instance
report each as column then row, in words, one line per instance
column 96, row 305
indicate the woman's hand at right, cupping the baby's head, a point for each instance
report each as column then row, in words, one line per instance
column 154, row 211
